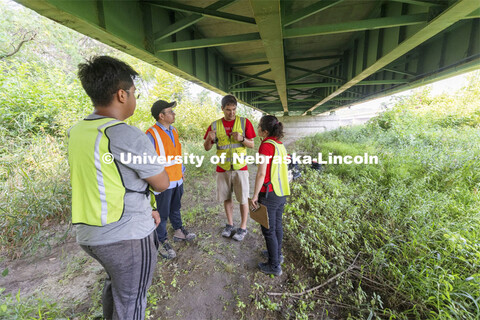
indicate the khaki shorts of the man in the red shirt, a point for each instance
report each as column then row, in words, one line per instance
column 233, row 180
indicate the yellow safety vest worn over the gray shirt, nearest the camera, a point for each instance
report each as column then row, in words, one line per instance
column 97, row 187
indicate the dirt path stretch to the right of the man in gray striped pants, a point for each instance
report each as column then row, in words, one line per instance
column 213, row 276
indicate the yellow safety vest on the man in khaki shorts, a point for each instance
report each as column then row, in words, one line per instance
column 228, row 145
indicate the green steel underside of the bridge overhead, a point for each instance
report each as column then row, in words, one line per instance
column 287, row 57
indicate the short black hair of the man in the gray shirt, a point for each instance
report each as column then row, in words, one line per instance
column 103, row 76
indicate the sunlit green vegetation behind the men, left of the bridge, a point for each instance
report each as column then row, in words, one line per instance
column 41, row 98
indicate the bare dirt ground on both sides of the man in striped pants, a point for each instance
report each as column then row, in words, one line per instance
column 211, row 278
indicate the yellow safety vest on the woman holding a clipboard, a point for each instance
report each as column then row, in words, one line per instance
column 279, row 171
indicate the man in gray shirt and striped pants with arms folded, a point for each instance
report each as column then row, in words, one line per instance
column 110, row 196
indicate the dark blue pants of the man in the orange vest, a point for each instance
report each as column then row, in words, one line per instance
column 168, row 205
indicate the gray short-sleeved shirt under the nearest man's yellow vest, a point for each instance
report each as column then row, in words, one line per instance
column 137, row 221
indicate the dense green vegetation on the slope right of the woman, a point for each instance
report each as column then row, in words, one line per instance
column 413, row 219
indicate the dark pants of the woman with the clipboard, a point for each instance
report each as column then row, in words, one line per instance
column 274, row 235
